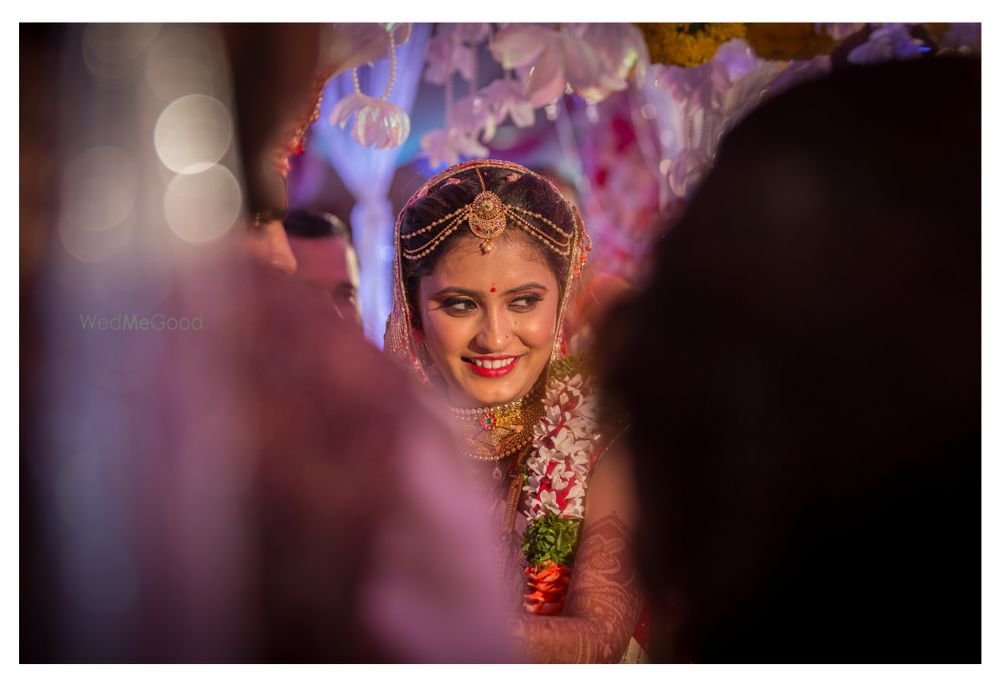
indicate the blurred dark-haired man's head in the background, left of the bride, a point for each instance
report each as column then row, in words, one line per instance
column 326, row 259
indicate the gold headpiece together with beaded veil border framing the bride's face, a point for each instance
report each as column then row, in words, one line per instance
column 488, row 217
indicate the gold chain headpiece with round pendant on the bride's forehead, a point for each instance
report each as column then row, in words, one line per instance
column 487, row 217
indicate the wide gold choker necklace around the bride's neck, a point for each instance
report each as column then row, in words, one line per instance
column 497, row 432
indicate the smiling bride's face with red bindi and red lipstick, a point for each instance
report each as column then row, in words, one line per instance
column 489, row 320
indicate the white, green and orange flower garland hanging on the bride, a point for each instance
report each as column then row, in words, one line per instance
column 556, row 485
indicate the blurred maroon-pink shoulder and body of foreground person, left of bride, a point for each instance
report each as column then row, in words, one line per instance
column 359, row 559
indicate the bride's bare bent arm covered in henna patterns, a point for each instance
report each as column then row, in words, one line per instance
column 603, row 601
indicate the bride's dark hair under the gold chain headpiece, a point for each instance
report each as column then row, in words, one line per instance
column 524, row 190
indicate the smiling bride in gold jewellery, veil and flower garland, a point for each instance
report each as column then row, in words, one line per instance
column 488, row 255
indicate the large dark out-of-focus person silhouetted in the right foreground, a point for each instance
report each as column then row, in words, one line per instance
column 803, row 375
